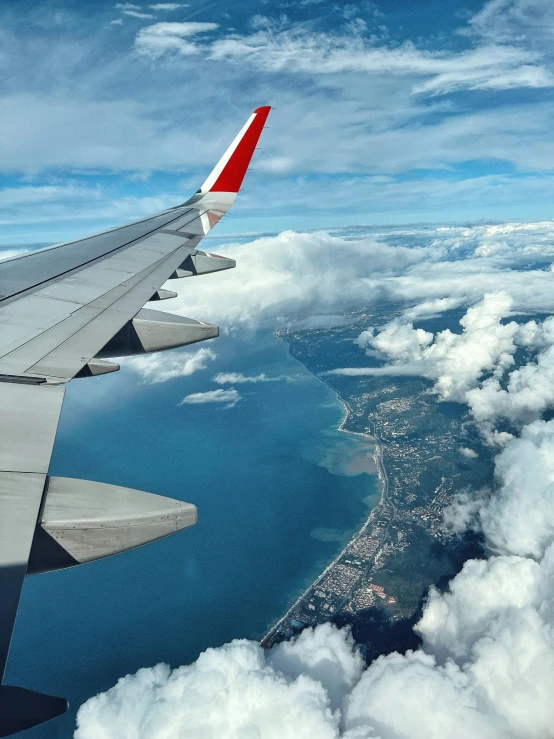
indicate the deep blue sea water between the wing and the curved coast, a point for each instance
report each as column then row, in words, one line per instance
column 279, row 490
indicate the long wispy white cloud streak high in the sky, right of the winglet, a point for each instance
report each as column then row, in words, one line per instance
column 297, row 49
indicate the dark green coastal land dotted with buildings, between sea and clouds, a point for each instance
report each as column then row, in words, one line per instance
column 425, row 452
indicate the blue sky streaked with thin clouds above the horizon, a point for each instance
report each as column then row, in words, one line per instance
column 385, row 112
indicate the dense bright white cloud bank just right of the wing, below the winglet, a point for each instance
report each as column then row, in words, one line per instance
column 289, row 275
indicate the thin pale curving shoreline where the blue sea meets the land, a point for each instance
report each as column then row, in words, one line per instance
column 383, row 501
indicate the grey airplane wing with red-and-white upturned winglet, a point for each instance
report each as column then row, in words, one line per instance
column 63, row 311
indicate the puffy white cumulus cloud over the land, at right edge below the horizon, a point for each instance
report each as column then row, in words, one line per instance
column 473, row 366
